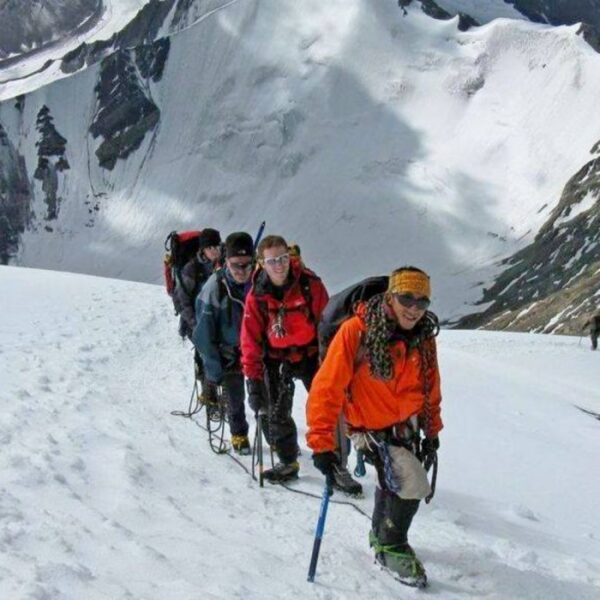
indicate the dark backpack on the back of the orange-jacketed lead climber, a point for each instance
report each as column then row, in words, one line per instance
column 341, row 306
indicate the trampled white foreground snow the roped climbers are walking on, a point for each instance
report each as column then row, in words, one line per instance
column 104, row 494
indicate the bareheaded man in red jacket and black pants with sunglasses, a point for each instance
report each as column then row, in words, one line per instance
column 279, row 344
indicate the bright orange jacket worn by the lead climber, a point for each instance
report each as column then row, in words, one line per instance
column 367, row 403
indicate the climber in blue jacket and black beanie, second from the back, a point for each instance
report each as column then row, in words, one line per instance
column 219, row 311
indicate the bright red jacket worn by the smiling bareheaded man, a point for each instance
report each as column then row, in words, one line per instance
column 286, row 328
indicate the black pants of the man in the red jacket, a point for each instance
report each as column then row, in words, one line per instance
column 278, row 424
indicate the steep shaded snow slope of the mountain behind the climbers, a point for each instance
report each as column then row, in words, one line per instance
column 357, row 132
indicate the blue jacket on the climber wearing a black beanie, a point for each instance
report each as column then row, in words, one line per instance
column 219, row 311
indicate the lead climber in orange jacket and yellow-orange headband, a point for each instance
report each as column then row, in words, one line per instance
column 381, row 371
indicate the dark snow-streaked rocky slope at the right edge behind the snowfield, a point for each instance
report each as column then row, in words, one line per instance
column 553, row 285
